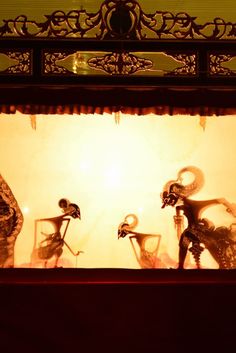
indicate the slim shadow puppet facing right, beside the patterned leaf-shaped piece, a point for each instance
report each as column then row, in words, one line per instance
column 52, row 245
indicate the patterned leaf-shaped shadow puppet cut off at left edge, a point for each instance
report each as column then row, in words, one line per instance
column 11, row 222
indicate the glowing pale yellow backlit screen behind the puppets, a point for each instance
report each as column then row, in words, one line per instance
column 112, row 170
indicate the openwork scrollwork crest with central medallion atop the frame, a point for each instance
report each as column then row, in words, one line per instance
column 121, row 19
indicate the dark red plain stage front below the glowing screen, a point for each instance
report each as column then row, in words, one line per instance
column 116, row 310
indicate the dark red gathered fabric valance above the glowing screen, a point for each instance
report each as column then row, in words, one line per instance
column 99, row 100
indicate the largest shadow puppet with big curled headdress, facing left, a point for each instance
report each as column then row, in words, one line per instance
column 199, row 231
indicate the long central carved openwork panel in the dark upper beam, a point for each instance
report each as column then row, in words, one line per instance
column 120, row 63
